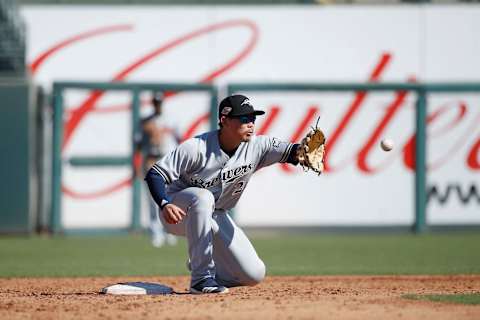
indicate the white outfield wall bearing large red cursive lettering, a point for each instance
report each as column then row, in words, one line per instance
column 364, row 186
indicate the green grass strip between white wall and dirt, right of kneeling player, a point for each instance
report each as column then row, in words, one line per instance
column 454, row 253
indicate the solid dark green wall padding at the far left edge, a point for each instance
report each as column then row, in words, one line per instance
column 17, row 127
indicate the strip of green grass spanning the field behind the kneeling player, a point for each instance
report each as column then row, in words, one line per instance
column 284, row 254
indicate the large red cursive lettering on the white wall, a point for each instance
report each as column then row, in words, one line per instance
column 360, row 157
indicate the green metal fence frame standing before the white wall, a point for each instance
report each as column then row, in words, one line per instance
column 421, row 91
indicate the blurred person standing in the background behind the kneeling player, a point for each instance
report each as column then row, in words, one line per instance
column 152, row 146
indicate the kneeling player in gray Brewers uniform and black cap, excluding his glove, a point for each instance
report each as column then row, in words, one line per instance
column 197, row 184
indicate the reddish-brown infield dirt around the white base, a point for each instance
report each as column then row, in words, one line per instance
column 306, row 297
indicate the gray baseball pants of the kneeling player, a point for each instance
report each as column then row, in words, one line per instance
column 217, row 247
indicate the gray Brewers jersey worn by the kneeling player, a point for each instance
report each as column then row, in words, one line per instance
column 200, row 162
